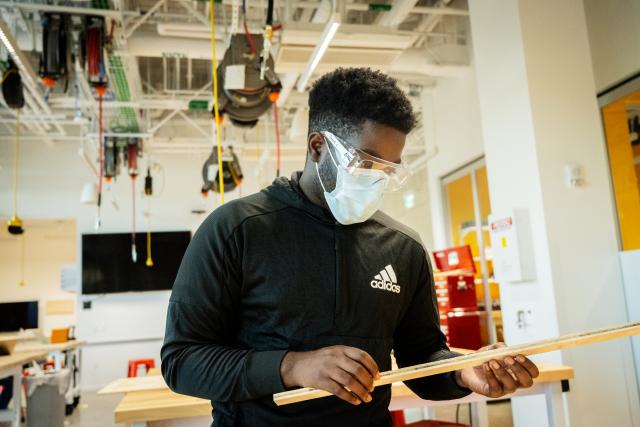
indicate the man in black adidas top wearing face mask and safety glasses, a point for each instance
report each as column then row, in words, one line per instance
column 307, row 284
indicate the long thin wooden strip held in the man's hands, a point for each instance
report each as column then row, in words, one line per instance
column 475, row 359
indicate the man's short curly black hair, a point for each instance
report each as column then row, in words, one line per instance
column 342, row 100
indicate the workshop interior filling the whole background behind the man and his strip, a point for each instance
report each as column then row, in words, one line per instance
column 125, row 123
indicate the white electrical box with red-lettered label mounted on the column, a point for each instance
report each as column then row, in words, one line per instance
column 512, row 246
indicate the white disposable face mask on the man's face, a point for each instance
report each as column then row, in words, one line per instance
column 356, row 196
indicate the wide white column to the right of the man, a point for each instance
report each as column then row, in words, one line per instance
column 539, row 113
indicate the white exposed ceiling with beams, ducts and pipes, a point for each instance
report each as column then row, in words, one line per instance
column 161, row 60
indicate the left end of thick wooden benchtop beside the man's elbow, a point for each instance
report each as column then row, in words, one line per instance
column 155, row 405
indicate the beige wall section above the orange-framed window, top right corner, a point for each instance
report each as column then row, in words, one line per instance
column 614, row 38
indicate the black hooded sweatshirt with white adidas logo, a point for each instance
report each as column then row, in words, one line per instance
column 274, row 272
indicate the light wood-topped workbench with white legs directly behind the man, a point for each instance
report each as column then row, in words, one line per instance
column 149, row 402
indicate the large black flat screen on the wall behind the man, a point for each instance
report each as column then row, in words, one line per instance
column 108, row 267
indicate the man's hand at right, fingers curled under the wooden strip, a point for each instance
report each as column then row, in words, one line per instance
column 497, row 378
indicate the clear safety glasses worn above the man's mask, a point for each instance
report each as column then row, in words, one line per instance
column 355, row 161
